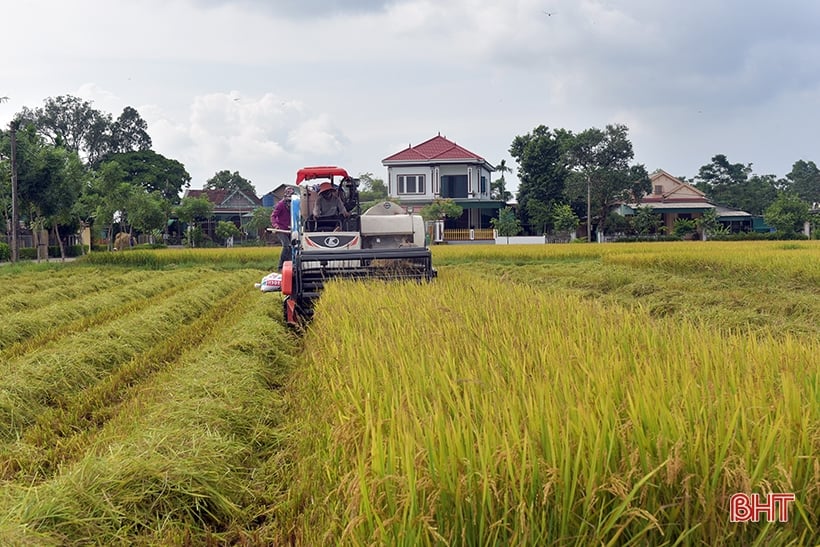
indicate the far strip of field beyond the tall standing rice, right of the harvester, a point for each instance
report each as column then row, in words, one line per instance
column 766, row 287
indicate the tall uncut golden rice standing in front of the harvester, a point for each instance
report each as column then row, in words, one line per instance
column 481, row 412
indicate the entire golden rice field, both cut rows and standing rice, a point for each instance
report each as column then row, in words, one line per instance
column 531, row 395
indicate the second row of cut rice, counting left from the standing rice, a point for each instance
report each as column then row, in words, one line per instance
column 53, row 375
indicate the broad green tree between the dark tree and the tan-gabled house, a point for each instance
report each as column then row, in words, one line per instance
column 601, row 172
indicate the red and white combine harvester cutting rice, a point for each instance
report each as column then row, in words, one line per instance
column 384, row 242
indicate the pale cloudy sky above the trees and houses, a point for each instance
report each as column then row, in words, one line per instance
column 264, row 87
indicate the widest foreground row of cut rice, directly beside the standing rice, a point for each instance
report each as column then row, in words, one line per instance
column 175, row 465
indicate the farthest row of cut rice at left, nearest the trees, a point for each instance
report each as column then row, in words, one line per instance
column 32, row 291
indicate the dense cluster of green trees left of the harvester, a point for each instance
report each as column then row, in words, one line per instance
column 78, row 166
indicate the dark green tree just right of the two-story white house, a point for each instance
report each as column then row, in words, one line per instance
column 542, row 172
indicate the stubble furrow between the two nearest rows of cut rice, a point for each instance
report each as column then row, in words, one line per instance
column 64, row 432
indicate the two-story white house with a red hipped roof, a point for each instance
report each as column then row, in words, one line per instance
column 440, row 168
